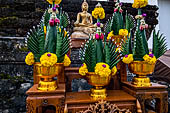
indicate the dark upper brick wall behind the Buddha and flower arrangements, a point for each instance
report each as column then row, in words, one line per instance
column 18, row 16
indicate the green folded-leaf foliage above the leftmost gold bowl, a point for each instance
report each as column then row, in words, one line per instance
column 55, row 41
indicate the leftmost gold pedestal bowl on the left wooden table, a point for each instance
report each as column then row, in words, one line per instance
column 46, row 76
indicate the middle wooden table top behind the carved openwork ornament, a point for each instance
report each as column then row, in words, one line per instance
column 77, row 101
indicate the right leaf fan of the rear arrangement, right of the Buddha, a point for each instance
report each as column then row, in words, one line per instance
column 130, row 22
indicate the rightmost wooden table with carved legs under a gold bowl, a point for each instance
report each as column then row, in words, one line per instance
column 156, row 91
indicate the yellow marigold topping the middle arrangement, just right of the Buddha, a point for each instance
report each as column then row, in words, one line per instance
column 98, row 12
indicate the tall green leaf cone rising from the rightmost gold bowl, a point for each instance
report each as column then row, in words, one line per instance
column 139, row 50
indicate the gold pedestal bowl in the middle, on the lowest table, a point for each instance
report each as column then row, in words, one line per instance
column 98, row 82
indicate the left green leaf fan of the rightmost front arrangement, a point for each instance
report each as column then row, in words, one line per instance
column 127, row 46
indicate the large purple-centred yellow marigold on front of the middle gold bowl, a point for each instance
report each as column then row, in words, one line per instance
column 102, row 69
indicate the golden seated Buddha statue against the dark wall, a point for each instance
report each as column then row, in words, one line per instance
column 84, row 23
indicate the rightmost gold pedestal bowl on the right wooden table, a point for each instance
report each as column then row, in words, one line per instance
column 141, row 69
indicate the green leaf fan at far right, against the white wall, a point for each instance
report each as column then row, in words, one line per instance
column 159, row 44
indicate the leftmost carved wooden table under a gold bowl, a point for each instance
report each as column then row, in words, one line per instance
column 36, row 99
